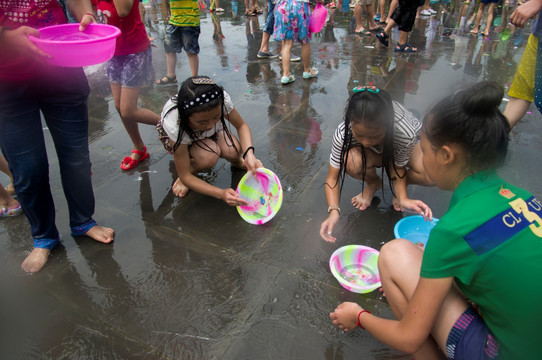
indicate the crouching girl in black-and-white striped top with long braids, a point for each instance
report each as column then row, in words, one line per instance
column 377, row 132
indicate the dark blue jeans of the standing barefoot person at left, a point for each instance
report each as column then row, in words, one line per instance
column 61, row 95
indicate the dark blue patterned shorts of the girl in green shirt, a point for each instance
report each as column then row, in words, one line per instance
column 471, row 339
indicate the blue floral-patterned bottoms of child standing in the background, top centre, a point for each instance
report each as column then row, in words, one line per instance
column 292, row 21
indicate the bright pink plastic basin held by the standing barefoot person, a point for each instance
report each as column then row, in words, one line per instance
column 70, row 47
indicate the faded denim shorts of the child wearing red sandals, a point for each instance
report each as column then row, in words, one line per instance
column 133, row 70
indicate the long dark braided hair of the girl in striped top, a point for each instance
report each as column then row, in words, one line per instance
column 372, row 109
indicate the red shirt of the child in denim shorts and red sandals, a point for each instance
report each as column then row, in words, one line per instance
column 133, row 38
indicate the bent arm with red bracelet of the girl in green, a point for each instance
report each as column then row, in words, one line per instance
column 417, row 321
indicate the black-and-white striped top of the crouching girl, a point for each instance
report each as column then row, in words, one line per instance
column 406, row 134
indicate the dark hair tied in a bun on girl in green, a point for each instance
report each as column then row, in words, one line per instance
column 472, row 119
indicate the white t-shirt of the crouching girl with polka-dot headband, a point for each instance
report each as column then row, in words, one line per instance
column 170, row 122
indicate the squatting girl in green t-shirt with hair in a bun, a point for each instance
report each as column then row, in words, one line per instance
column 489, row 236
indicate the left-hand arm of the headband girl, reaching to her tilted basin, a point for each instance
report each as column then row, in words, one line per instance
column 182, row 164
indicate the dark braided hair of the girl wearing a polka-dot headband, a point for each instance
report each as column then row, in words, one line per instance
column 191, row 89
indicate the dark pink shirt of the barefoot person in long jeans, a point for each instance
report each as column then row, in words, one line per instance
column 36, row 14
